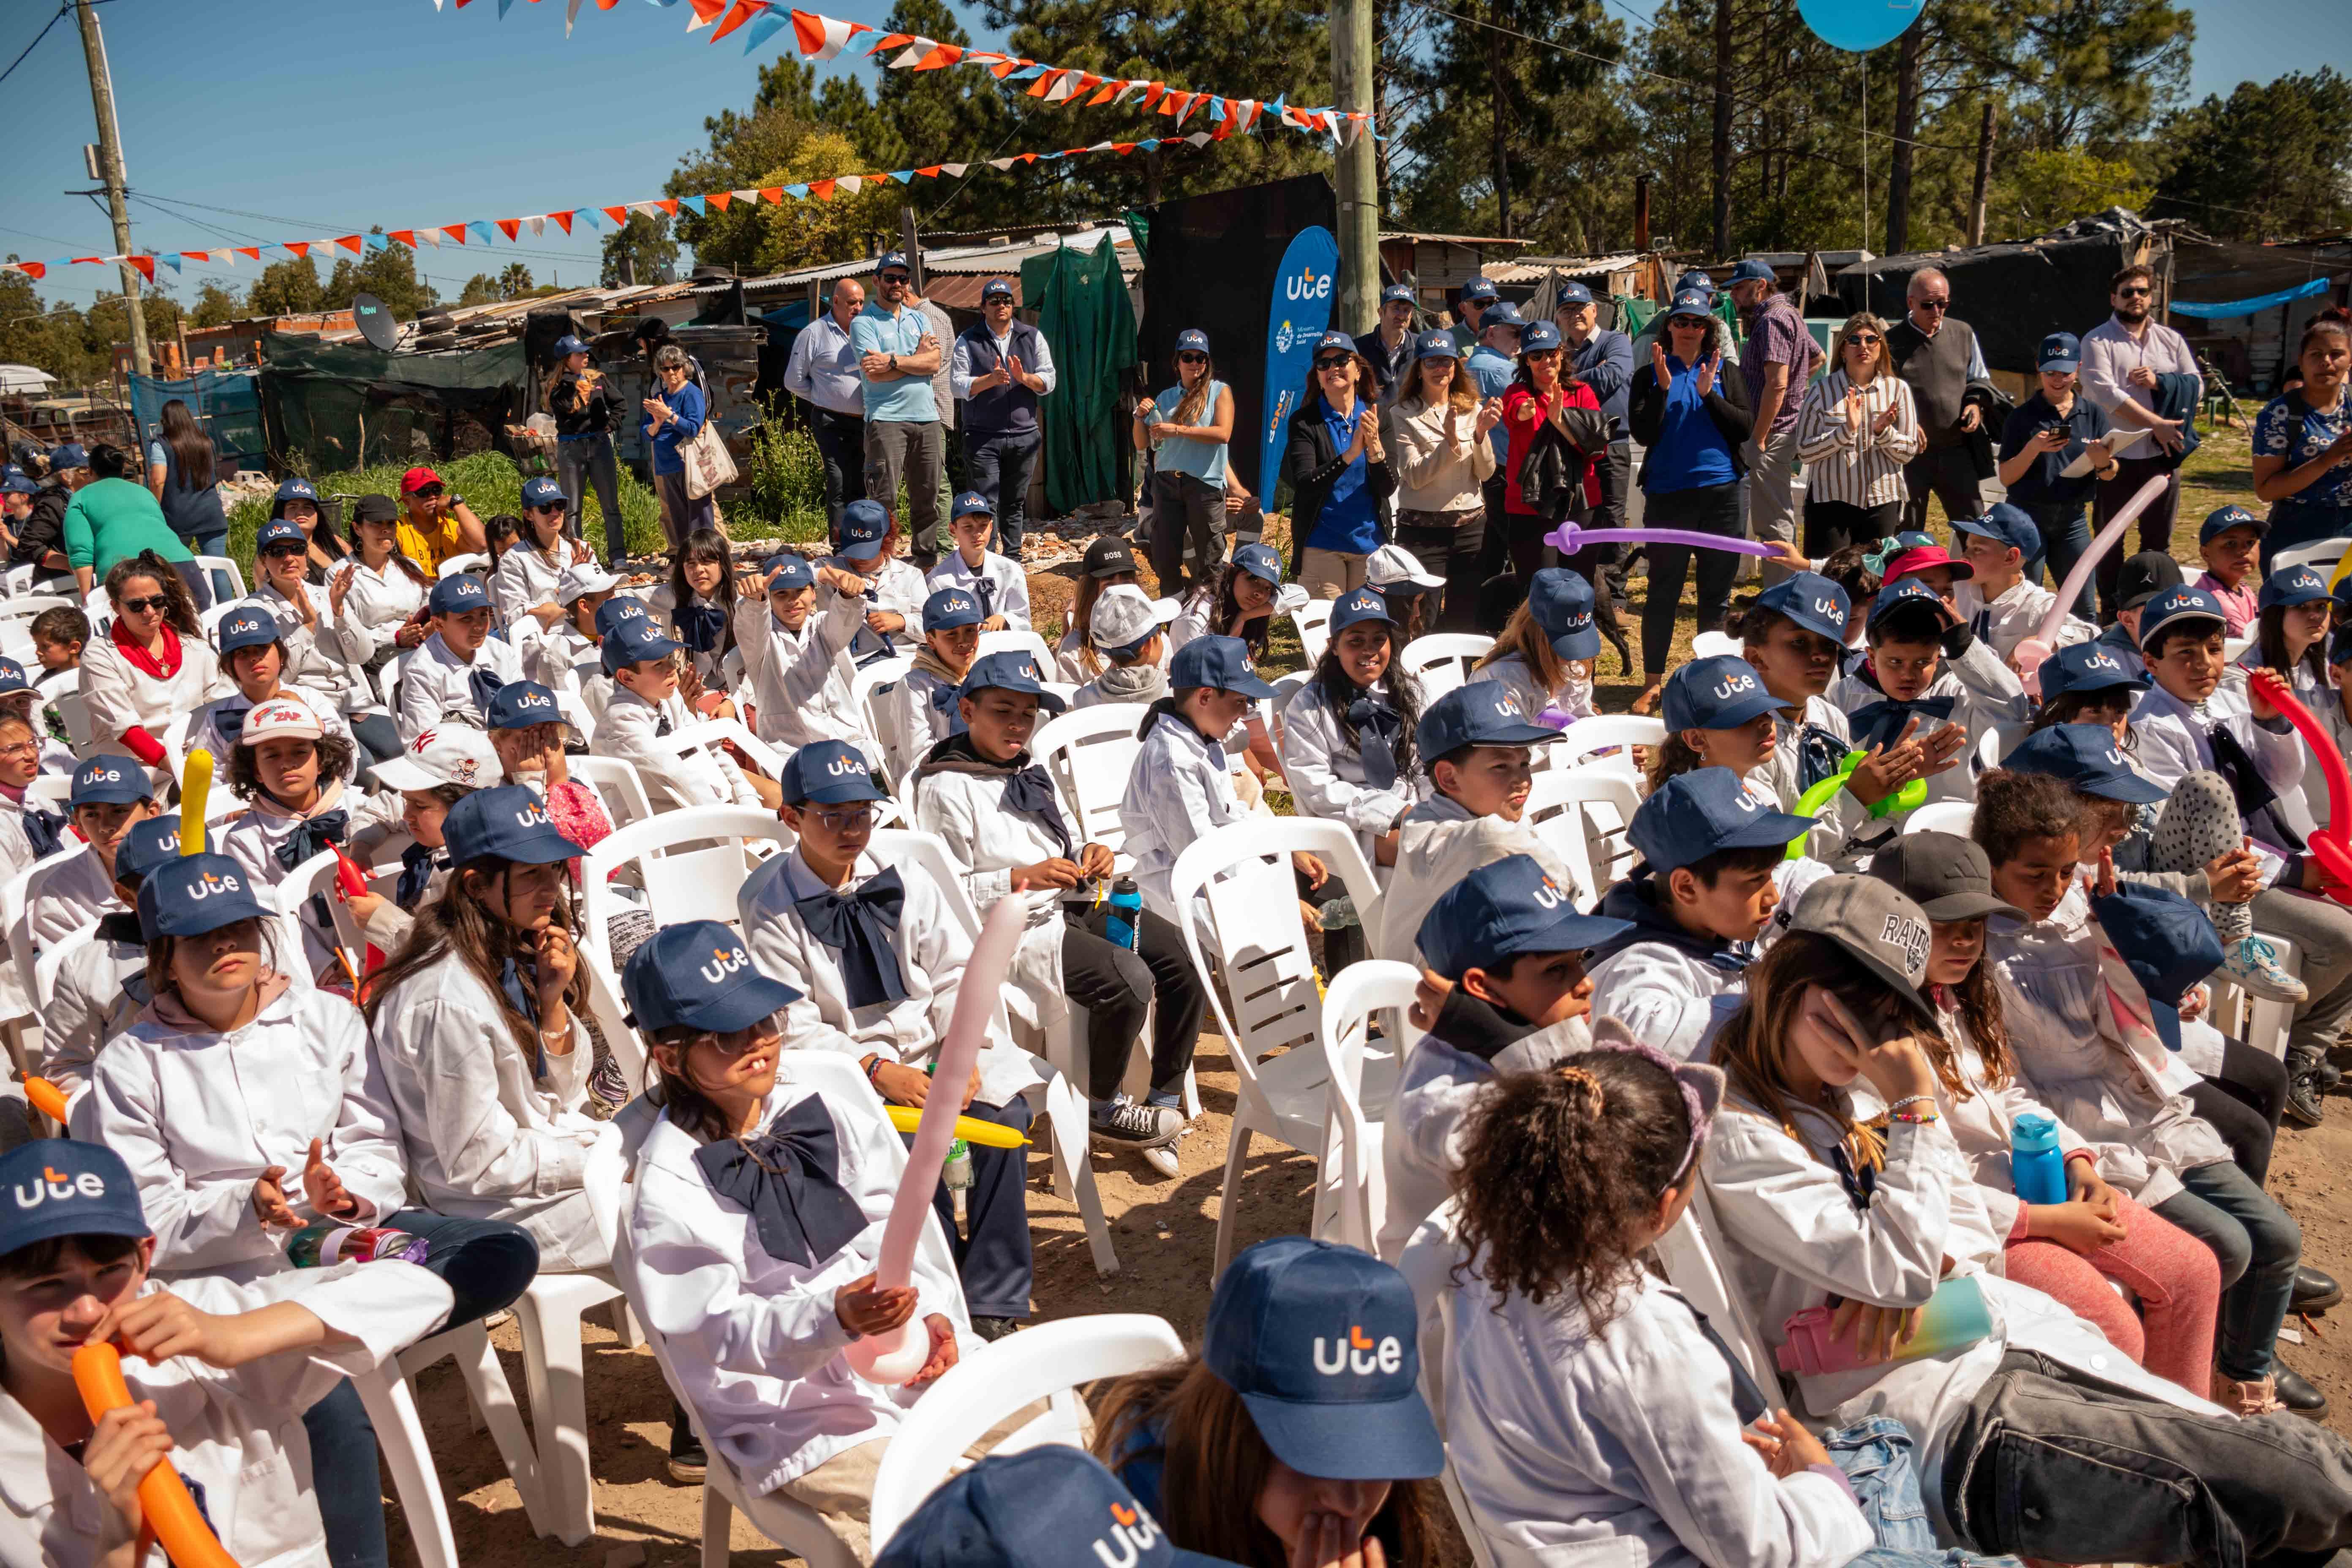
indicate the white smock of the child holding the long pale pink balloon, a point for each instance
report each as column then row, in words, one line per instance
column 754, row 1339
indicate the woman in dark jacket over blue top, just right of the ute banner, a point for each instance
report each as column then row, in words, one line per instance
column 1339, row 474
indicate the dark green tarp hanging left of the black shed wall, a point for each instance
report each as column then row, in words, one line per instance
column 1090, row 323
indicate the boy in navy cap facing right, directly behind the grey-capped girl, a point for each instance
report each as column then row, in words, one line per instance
column 1695, row 906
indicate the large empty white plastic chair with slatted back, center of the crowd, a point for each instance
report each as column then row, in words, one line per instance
column 1262, row 951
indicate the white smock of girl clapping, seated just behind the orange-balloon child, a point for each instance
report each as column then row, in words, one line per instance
column 201, row 1115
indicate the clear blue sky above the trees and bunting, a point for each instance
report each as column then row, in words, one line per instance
column 328, row 116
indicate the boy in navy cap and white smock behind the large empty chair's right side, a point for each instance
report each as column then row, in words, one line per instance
column 1478, row 746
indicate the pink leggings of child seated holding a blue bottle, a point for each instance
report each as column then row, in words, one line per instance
column 2172, row 1273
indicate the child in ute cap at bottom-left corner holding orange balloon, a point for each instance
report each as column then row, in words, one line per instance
column 220, row 1374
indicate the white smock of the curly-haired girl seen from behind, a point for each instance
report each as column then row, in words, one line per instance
column 1622, row 1447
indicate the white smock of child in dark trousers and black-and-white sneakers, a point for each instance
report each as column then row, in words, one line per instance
column 965, row 808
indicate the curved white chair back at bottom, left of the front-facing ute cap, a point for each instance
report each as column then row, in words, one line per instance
column 1045, row 1362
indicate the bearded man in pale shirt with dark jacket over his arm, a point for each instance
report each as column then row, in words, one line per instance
column 2144, row 375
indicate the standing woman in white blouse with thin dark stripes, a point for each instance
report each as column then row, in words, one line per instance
column 1855, row 434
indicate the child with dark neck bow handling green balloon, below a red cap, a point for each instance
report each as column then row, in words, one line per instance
column 1927, row 676
